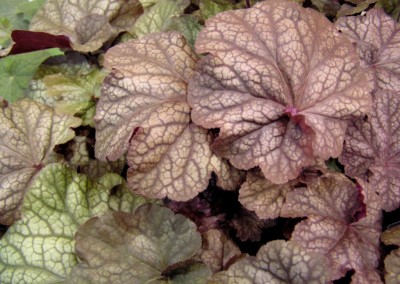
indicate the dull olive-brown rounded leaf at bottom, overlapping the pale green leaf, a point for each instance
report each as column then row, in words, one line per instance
column 154, row 244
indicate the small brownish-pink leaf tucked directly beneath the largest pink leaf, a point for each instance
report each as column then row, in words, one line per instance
column 262, row 196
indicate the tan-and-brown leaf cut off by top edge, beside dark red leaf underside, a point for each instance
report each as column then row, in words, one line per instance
column 88, row 24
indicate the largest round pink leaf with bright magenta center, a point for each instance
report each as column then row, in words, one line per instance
column 279, row 82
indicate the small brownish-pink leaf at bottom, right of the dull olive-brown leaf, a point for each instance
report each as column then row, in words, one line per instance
column 218, row 251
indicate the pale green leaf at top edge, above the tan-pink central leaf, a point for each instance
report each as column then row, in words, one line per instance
column 158, row 17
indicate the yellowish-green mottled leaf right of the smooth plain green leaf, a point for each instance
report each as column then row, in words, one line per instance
column 71, row 85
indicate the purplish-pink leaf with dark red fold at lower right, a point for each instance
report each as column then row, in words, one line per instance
column 343, row 223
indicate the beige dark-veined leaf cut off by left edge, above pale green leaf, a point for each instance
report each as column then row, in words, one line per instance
column 28, row 133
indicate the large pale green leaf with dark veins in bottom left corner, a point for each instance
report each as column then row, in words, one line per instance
column 39, row 248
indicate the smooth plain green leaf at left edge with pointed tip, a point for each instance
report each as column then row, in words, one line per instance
column 17, row 70
